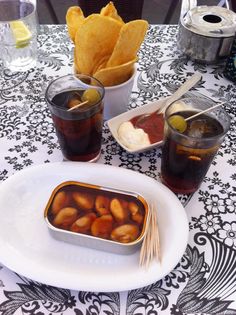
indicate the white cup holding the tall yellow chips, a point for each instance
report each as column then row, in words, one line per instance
column 117, row 98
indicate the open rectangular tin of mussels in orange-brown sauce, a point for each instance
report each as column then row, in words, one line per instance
column 98, row 217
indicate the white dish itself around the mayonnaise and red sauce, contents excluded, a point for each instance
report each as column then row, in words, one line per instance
column 115, row 122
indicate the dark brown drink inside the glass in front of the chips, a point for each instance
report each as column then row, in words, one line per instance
column 79, row 131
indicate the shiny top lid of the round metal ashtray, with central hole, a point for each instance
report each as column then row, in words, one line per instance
column 211, row 21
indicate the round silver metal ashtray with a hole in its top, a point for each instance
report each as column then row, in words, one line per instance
column 206, row 33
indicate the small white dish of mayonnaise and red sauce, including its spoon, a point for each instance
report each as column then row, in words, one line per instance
column 138, row 140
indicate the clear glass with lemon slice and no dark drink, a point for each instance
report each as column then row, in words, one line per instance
column 18, row 34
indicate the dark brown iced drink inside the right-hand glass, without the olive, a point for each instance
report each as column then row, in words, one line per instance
column 186, row 157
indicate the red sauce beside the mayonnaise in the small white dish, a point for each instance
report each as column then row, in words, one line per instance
column 153, row 126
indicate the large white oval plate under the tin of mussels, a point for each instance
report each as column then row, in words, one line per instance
column 27, row 248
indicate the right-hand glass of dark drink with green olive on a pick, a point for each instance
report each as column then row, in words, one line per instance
column 190, row 146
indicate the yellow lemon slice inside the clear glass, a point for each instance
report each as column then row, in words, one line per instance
column 21, row 33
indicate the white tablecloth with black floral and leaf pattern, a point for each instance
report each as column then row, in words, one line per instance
column 204, row 281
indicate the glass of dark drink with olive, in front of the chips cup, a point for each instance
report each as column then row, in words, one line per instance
column 78, row 127
